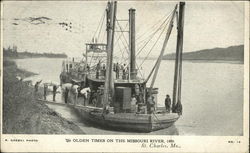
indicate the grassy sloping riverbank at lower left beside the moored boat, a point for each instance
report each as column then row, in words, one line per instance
column 22, row 113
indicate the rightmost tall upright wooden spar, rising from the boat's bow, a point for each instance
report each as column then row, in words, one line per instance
column 178, row 58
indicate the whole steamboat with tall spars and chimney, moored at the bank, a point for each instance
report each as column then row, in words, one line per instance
column 113, row 95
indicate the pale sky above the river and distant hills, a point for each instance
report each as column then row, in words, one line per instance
column 206, row 25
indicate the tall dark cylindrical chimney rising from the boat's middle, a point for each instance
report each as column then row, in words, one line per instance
column 133, row 71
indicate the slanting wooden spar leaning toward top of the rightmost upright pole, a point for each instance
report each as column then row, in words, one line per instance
column 170, row 27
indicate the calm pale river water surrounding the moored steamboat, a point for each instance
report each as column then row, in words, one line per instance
column 212, row 96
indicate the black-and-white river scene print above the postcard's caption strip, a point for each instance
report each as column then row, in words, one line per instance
column 120, row 68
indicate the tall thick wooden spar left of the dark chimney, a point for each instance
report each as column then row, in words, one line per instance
column 108, row 86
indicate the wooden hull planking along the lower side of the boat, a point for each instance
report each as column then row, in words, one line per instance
column 127, row 121
